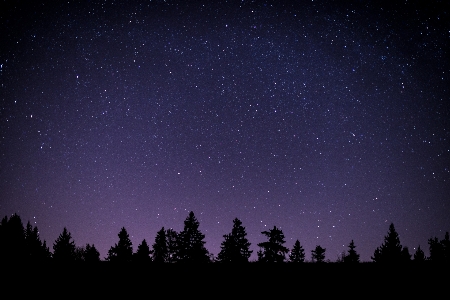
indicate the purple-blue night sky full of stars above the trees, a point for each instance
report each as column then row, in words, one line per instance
column 327, row 120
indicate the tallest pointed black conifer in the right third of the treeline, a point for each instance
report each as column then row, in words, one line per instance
column 391, row 250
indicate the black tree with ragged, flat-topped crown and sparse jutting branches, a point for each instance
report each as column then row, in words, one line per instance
column 273, row 250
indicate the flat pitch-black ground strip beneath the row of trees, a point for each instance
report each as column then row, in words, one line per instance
column 217, row 280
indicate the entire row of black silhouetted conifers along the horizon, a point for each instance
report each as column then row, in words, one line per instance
column 19, row 243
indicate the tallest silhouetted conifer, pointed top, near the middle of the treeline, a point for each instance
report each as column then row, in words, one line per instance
column 190, row 244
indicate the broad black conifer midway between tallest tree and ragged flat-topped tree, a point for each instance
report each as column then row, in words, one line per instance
column 235, row 247
